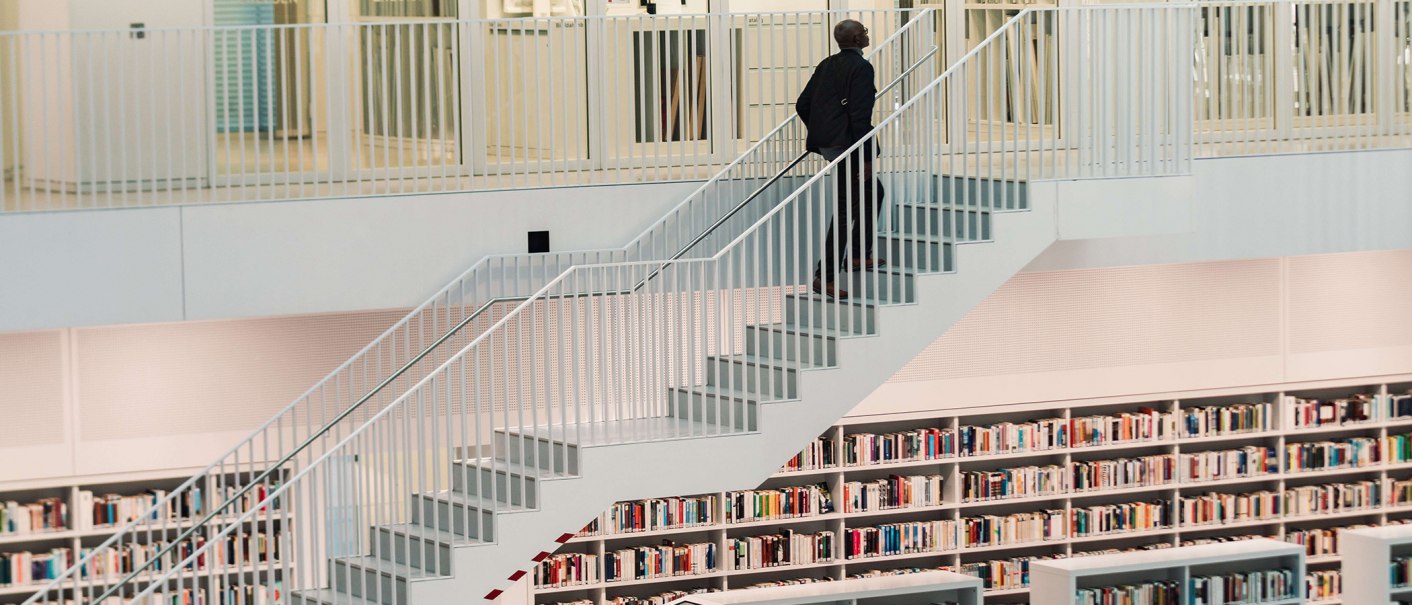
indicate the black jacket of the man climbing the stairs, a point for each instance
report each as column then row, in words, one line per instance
column 837, row 105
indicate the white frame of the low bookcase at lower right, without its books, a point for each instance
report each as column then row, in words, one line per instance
column 1055, row 583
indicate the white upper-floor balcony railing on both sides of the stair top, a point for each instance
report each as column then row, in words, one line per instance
column 121, row 119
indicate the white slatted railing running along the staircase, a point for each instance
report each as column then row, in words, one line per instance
column 621, row 351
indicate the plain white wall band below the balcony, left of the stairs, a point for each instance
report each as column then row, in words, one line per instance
column 73, row 269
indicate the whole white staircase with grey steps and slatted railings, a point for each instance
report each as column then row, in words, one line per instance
column 694, row 361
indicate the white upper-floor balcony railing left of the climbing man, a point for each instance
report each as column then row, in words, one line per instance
column 122, row 119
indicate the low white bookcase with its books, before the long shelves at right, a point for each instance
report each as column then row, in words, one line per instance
column 1190, row 575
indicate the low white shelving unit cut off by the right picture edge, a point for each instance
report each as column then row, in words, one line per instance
column 1368, row 555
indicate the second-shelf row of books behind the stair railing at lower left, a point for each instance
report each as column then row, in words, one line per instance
column 238, row 549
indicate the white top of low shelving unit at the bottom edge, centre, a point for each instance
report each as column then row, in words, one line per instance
column 926, row 589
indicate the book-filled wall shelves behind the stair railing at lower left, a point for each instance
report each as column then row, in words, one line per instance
column 81, row 514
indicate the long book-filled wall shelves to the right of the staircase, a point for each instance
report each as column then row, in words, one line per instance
column 1376, row 486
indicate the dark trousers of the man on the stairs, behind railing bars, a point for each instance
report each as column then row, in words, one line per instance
column 858, row 201
